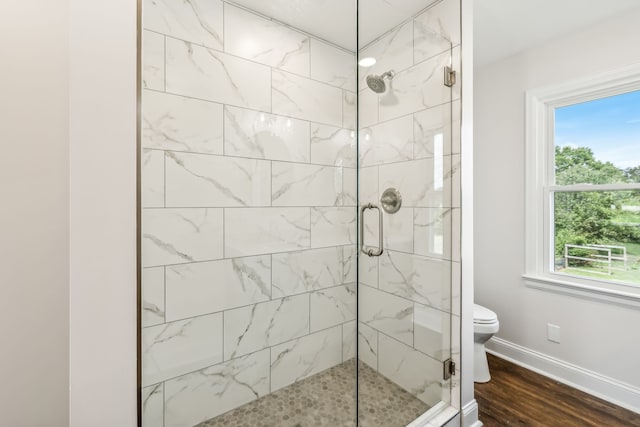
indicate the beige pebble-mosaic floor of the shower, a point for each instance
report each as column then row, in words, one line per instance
column 328, row 399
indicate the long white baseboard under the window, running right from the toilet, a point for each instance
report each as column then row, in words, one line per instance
column 605, row 388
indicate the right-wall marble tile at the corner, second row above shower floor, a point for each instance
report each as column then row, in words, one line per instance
column 386, row 313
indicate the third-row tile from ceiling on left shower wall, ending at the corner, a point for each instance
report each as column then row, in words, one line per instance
column 333, row 146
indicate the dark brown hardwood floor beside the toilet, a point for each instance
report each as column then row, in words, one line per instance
column 516, row 396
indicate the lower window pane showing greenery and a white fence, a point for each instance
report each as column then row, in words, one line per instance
column 597, row 235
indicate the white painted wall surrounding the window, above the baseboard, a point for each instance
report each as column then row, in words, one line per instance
column 595, row 336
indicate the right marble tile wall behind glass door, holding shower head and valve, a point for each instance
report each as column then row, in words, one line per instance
column 410, row 140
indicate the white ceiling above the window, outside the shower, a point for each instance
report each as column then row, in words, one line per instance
column 505, row 27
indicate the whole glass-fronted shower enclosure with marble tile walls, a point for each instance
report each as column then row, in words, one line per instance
column 300, row 212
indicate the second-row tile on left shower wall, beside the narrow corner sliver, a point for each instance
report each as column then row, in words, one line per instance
column 306, row 99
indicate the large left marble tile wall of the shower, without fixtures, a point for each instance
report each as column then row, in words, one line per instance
column 249, row 208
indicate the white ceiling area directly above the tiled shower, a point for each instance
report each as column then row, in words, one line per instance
column 334, row 20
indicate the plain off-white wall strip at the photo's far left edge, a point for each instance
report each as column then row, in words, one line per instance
column 34, row 224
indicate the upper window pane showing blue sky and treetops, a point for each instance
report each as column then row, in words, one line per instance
column 598, row 142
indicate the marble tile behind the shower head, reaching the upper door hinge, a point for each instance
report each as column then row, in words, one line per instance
column 416, row 88
